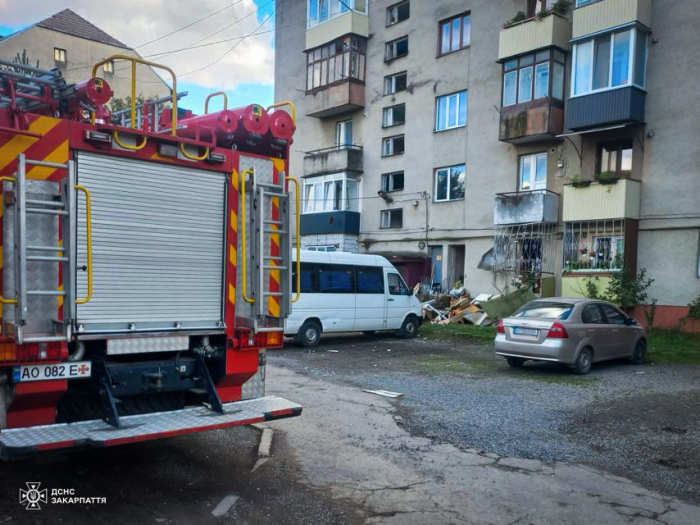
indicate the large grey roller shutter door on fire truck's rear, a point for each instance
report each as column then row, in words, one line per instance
column 157, row 245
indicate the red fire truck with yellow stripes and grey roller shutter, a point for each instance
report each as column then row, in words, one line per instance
column 146, row 262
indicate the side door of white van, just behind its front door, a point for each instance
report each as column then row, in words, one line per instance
column 370, row 300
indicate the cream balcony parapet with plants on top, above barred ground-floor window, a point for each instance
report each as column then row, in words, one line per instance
column 601, row 201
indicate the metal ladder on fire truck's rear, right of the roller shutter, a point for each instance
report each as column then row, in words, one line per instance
column 270, row 241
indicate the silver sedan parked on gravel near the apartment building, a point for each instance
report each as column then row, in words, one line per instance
column 576, row 332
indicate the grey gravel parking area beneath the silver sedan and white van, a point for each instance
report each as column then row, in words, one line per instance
column 639, row 422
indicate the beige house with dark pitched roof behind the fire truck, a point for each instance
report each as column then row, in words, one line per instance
column 72, row 44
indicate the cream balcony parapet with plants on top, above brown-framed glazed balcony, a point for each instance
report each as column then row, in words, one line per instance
column 532, row 34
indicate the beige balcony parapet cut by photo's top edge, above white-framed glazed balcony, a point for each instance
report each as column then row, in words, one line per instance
column 608, row 14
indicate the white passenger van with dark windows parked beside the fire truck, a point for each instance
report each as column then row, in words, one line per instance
column 347, row 292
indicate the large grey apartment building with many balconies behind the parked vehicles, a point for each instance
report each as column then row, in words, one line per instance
column 487, row 140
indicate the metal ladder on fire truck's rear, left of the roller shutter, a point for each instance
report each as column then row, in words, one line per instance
column 34, row 263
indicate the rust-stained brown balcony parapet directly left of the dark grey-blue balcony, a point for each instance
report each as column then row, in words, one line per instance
column 540, row 119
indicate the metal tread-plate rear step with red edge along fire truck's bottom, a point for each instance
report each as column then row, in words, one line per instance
column 89, row 434
